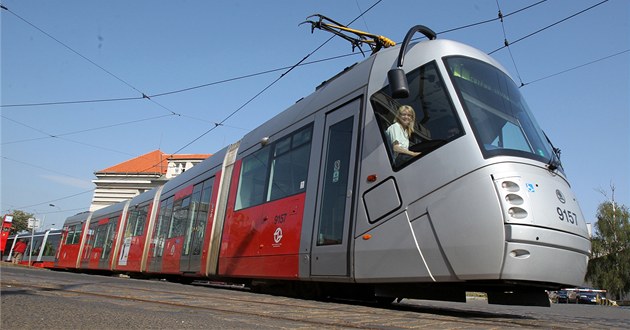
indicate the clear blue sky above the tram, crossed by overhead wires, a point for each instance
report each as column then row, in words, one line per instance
column 54, row 52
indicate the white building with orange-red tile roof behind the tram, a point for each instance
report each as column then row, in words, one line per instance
column 135, row 176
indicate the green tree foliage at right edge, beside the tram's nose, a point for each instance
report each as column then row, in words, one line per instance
column 609, row 267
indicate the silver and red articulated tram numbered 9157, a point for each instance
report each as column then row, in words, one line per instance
column 321, row 201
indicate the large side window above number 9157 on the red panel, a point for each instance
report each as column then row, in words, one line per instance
column 276, row 171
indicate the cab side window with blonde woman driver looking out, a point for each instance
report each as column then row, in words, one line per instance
column 435, row 123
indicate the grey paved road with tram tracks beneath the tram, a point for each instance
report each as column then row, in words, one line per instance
column 35, row 299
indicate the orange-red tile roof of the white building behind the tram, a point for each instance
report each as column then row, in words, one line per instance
column 154, row 162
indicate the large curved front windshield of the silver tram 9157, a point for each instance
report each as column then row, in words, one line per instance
column 498, row 114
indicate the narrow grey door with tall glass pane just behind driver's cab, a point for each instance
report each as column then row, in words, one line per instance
column 330, row 242
